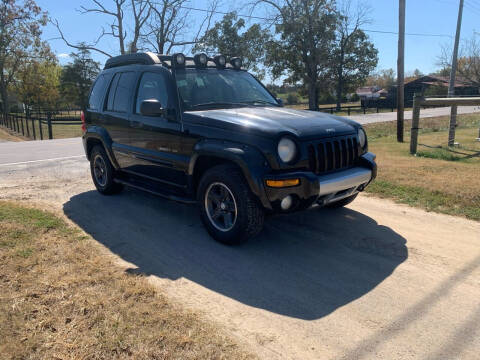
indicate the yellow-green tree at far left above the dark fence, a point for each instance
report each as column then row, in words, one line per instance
column 37, row 83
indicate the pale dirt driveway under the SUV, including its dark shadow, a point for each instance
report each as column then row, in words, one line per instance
column 375, row 280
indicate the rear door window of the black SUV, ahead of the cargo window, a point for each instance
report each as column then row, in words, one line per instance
column 121, row 92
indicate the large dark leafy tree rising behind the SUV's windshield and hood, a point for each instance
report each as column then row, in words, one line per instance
column 305, row 31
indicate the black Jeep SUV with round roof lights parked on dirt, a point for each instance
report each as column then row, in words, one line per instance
column 202, row 130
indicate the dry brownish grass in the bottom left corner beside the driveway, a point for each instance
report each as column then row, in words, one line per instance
column 61, row 297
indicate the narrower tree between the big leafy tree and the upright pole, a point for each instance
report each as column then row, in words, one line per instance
column 354, row 57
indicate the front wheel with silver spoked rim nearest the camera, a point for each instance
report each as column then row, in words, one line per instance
column 230, row 212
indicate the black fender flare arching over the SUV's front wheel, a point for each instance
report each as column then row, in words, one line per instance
column 250, row 160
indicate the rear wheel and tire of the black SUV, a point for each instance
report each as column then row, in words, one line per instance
column 103, row 172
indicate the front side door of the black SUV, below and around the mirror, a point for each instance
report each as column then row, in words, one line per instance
column 155, row 141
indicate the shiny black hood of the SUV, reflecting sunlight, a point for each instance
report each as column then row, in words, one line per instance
column 275, row 120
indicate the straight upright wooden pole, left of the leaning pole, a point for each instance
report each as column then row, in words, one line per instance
column 400, row 69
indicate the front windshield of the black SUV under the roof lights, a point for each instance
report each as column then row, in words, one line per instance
column 214, row 88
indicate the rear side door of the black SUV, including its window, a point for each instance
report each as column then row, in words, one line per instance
column 116, row 117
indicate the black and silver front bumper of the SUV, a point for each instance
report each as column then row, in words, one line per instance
column 323, row 189
